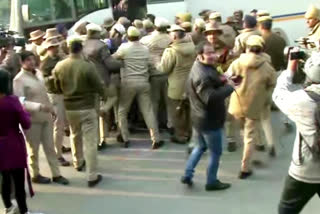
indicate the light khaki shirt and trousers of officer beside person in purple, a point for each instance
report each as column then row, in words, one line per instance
column 31, row 86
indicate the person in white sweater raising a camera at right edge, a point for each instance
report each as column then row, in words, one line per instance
column 301, row 104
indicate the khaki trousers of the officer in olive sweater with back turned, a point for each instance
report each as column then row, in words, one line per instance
column 84, row 132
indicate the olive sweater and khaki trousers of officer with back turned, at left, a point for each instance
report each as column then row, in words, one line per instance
column 78, row 81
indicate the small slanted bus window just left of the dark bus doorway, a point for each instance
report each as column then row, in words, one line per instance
column 84, row 7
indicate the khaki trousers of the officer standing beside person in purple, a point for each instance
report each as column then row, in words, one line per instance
column 41, row 133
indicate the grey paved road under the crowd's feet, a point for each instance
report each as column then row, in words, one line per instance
column 140, row 181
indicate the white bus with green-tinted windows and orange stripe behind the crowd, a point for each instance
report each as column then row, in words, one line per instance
column 30, row 14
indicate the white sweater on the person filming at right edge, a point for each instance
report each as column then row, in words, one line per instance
column 303, row 110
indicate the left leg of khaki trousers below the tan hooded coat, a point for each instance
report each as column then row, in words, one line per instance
column 250, row 138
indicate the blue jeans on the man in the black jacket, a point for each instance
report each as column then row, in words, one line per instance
column 211, row 140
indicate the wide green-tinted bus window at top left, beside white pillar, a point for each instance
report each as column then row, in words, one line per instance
column 42, row 12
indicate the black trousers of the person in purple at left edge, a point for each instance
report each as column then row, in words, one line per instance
column 18, row 178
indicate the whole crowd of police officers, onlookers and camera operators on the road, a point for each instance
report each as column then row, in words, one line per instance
column 188, row 78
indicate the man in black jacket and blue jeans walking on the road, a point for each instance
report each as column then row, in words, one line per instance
column 207, row 91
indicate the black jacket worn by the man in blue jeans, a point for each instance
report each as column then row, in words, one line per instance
column 207, row 94
